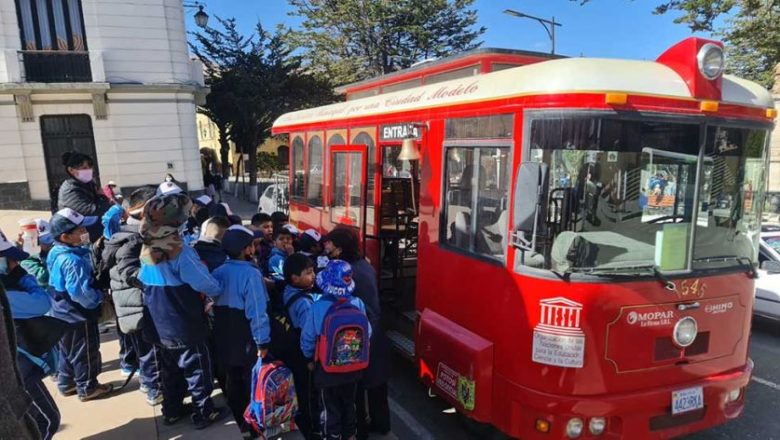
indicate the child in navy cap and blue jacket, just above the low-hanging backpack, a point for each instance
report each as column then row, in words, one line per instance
column 241, row 328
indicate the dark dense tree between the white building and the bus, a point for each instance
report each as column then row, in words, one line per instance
column 254, row 80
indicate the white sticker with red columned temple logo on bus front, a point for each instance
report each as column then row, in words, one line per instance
column 558, row 338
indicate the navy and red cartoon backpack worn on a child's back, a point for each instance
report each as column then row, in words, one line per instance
column 343, row 345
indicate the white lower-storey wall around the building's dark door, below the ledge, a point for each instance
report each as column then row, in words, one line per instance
column 133, row 145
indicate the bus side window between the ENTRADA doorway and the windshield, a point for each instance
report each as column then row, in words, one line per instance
column 476, row 188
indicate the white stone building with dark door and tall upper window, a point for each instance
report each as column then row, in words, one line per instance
column 111, row 78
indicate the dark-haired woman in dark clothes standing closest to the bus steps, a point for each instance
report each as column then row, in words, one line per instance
column 342, row 243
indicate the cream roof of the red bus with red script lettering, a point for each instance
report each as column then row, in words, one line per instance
column 569, row 75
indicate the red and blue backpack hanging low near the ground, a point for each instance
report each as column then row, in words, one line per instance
column 273, row 402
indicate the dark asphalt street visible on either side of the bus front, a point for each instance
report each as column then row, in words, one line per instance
column 416, row 416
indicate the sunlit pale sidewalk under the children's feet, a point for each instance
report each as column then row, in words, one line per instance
column 125, row 415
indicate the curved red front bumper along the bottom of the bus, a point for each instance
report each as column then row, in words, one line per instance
column 638, row 415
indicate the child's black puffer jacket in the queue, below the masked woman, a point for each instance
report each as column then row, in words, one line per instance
column 122, row 255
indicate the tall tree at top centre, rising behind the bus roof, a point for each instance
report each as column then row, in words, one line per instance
column 350, row 40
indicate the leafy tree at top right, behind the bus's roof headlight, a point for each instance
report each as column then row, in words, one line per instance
column 751, row 33
